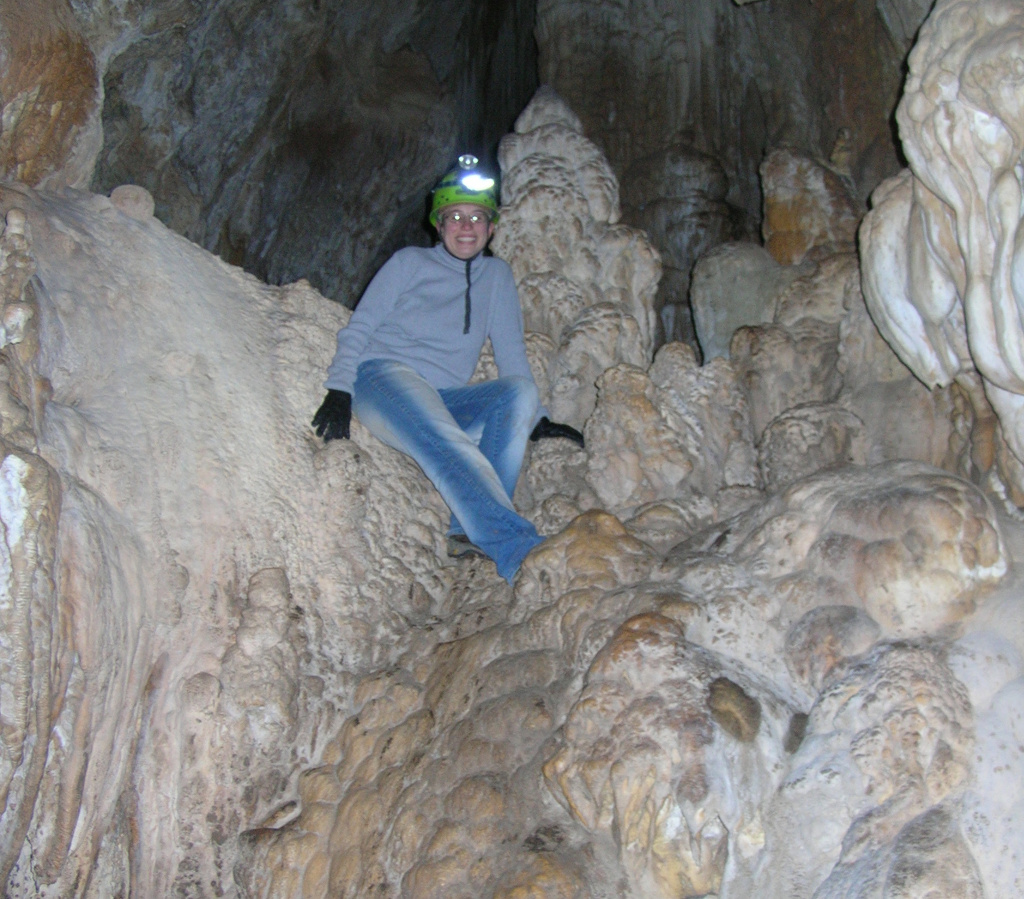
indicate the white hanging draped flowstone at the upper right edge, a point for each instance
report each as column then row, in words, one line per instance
column 943, row 247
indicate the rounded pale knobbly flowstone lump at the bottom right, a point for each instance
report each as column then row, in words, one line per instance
column 886, row 750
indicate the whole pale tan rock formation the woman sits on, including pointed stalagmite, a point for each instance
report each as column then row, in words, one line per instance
column 773, row 647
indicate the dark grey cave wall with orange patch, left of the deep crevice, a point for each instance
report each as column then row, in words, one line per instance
column 295, row 140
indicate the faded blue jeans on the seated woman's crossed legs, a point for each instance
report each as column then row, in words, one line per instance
column 468, row 441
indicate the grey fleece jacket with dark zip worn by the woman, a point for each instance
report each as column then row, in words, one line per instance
column 414, row 312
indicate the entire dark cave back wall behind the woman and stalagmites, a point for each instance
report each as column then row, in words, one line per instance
column 298, row 140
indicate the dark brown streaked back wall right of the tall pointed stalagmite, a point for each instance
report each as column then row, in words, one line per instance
column 688, row 98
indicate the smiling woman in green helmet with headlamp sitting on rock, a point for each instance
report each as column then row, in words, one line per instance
column 405, row 360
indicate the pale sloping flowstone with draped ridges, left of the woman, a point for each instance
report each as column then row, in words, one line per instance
column 186, row 555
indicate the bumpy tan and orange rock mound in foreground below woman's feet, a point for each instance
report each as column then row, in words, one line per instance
column 629, row 721
